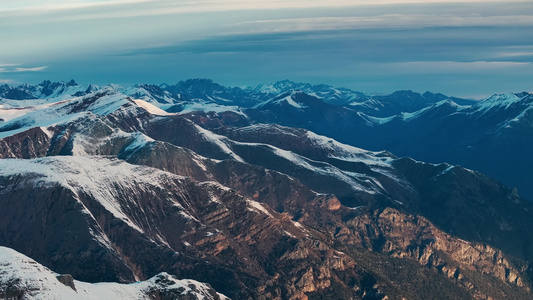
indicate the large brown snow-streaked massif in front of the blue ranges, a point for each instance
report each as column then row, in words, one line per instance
column 108, row 188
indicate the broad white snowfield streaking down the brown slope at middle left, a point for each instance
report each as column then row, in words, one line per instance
column 99, row 177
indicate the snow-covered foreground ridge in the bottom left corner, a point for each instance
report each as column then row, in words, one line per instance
column 34, row 281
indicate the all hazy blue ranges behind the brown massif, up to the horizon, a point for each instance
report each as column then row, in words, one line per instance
column 430, row 127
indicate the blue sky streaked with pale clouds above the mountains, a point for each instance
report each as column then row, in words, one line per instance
column 468, row 49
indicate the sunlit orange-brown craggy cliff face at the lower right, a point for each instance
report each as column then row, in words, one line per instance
column 406, row 236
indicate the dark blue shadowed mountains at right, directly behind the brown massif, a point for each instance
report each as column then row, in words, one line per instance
column 489, row 136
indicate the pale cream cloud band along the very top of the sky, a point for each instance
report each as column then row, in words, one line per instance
column 92, row 9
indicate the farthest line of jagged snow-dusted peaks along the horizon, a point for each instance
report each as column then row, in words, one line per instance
column 205, row 90
